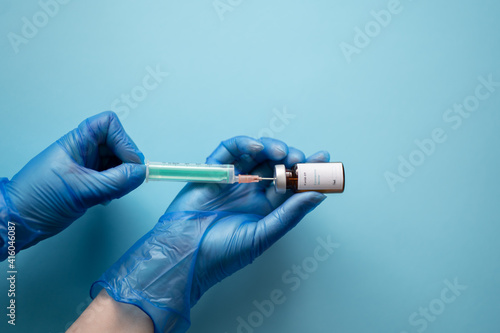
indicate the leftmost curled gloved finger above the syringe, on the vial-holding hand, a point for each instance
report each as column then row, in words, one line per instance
column 229, row 151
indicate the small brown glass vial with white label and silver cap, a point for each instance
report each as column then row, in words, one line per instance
column 319, row 177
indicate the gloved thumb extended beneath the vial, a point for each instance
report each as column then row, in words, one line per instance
column 284, row 218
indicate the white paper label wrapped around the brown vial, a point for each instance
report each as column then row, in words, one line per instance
column 320, row 176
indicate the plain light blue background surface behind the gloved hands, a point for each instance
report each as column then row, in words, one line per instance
column 229, row 75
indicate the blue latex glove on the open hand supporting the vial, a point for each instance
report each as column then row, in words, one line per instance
column 209, row 232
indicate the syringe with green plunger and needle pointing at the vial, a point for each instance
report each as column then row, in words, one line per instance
column 198, row 173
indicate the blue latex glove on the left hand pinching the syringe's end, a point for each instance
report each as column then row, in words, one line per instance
column 93, row 164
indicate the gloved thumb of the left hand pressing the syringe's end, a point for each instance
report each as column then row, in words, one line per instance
column 102, row 187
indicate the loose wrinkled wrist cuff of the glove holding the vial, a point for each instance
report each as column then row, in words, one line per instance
column 156, row 274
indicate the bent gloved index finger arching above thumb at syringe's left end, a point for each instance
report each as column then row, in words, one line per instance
column 106, row 129
